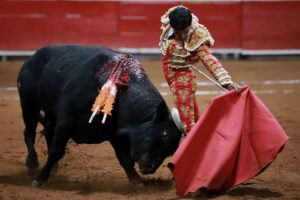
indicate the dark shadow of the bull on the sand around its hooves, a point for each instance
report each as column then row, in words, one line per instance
column 62, row 183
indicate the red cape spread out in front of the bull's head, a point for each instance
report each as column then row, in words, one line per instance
column 235, row 138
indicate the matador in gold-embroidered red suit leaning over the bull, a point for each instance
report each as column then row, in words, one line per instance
column 184, row 42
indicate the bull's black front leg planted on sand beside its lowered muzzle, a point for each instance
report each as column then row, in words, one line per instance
column 126, row 161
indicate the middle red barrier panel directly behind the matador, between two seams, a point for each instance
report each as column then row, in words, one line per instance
column 140, row 23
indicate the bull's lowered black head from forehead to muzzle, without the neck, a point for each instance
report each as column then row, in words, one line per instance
column 156, row 139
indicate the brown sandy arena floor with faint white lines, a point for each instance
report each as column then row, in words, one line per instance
column 93, row 172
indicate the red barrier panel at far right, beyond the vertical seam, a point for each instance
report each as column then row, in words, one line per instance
column 271, row 25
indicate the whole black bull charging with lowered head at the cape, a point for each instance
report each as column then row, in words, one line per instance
column 63, row 81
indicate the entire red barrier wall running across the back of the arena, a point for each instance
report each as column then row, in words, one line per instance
column 237, row 26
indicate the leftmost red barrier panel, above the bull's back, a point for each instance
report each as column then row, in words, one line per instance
column 30, row 24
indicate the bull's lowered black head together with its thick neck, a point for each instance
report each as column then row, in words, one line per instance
column 145, row 121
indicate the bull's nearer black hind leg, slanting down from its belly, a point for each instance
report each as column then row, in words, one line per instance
column 57, row 150
